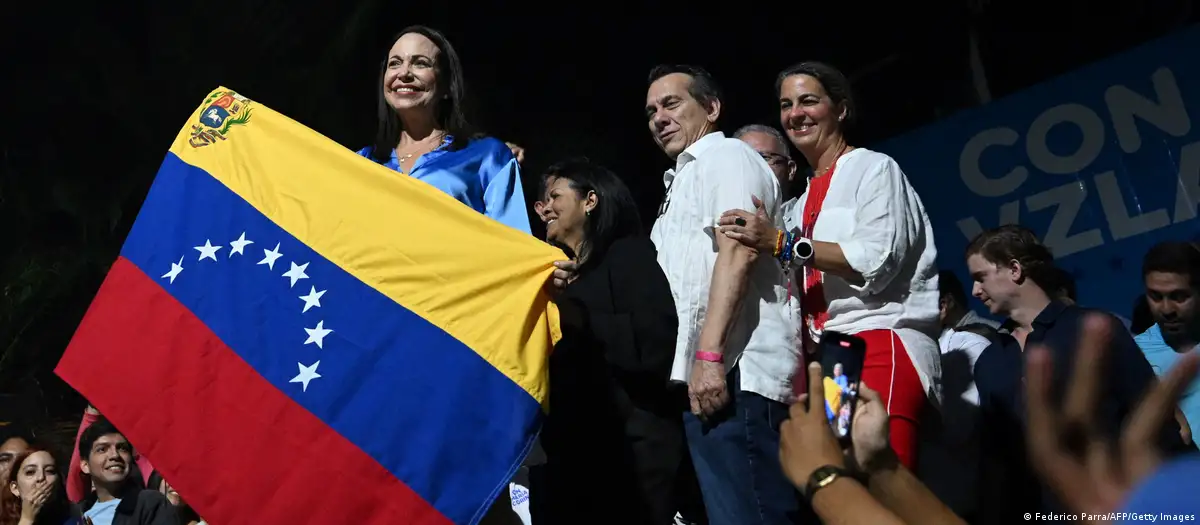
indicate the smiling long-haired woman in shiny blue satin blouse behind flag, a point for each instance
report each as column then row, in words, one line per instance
column 424, row 131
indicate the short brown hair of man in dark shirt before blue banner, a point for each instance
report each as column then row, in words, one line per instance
column 1010, row 243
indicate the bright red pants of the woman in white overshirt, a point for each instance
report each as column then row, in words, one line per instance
column 889, row 371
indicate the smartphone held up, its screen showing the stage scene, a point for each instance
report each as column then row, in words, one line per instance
column 842, row 361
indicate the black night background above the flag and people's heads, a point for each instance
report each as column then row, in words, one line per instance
column 95, row 94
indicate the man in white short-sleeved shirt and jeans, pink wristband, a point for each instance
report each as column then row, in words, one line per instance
column 737, row 348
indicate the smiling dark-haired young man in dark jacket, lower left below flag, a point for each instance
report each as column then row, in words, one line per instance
column 119, row 497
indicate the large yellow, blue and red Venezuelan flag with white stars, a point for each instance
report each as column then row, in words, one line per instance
column 296, row 335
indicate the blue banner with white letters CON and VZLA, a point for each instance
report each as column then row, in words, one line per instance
column 1102, row 164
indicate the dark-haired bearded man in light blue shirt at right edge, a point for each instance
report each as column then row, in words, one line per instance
column 1172, row 276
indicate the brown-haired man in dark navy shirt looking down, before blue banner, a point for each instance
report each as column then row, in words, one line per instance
column 1013, row 274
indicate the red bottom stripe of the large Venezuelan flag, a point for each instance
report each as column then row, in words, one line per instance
column 119, row 360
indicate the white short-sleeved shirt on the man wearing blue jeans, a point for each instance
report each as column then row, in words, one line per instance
column 713, row 176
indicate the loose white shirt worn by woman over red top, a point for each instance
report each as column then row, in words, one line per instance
column 875, row 216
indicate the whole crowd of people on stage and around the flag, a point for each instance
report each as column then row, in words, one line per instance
column 679, row 390
